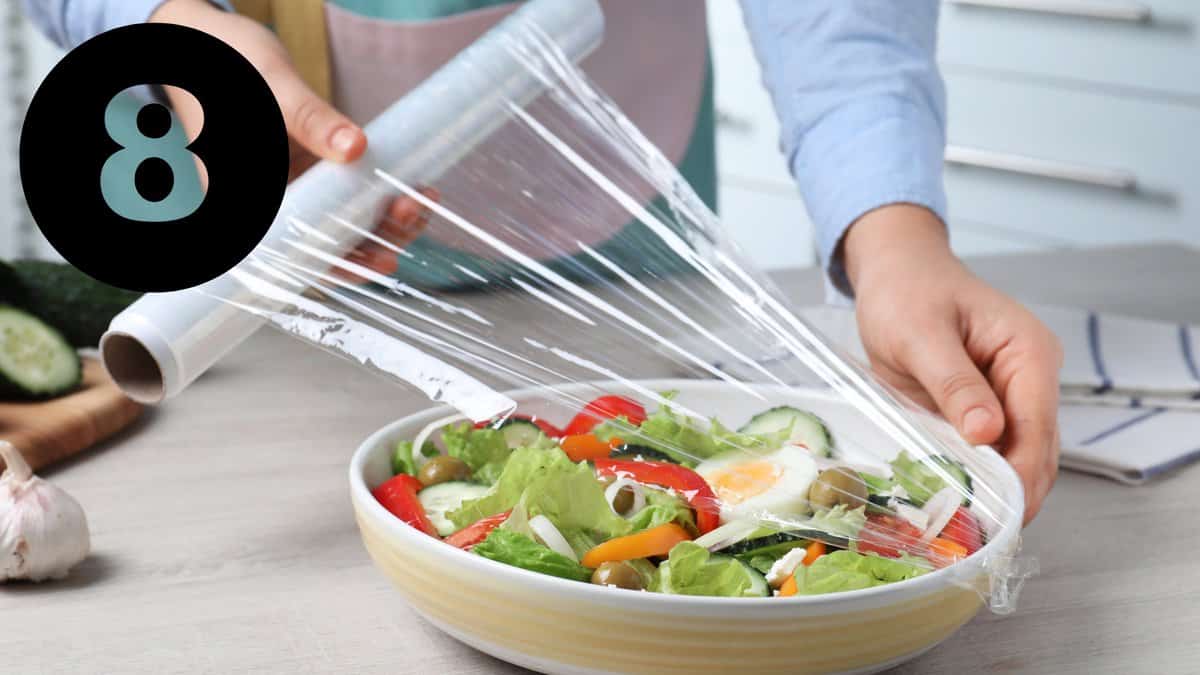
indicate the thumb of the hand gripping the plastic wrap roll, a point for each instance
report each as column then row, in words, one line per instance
column 315, row 124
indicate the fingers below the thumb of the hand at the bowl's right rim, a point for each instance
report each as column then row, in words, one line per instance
column 1031, row 399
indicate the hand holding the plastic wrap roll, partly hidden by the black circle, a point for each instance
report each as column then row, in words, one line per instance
column 316, row 130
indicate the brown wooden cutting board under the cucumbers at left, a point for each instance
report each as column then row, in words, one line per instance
column 50, row 432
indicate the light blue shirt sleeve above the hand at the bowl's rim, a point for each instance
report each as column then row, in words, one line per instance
column 861, row 104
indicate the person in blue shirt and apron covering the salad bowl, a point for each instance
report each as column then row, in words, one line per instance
column 863, row 116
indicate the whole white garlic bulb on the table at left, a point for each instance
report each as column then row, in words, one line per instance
column 44, row 531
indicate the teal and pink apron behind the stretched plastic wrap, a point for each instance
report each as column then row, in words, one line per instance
column 653, row 63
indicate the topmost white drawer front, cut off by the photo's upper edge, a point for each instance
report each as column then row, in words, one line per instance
column 1067, row 39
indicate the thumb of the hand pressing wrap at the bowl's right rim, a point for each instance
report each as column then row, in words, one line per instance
column 940, row 363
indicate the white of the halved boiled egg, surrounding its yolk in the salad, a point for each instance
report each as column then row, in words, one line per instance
column 788, row 495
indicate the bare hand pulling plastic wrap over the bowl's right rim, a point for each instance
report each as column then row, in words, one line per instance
column 955, row 344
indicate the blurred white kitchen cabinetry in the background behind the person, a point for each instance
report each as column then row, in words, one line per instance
column 1073, row 123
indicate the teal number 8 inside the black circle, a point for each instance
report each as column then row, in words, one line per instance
column 118, row 176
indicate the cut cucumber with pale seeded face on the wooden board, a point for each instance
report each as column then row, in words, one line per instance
column 37, row 362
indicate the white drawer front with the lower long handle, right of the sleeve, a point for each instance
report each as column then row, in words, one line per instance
column 1082, row 136
